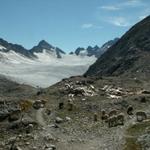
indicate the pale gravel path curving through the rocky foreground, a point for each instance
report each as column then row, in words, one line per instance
column 108, row 140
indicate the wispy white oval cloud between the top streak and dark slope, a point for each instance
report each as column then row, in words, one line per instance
column 119, row 21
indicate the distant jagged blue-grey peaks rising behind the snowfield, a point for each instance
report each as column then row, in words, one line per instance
column 55, row 51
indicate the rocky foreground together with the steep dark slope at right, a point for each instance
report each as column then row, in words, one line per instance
column 108, row 108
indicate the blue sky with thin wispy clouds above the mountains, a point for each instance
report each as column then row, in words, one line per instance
column 68, row 24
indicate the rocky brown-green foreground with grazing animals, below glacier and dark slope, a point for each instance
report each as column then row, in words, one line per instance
column 69, row 115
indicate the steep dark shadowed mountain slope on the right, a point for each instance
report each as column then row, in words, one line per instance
column 130, row 55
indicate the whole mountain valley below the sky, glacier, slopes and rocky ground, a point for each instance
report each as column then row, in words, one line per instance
column 50, row 100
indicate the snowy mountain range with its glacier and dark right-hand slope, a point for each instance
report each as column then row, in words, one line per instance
column 129, row 56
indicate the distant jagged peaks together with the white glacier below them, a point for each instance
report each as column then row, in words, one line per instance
column 44, row 64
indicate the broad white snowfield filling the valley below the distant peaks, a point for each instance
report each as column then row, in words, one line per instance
column 43, row 71
